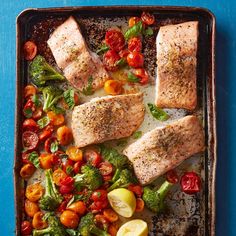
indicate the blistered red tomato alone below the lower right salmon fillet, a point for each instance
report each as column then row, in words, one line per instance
column 190, row 183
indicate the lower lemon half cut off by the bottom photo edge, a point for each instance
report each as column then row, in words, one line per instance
column 133, row 228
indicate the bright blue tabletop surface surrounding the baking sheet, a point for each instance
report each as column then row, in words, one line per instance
column 225, row 12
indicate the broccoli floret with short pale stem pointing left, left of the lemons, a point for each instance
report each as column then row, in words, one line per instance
column 90, row 177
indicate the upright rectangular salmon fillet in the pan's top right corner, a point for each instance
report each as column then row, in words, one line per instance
column 177, row 65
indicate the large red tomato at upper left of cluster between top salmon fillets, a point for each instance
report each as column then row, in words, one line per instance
column 115, row 39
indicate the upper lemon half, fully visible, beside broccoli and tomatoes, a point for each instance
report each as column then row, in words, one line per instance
column 122, row 201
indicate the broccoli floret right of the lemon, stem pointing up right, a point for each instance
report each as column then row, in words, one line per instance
column 154, row 199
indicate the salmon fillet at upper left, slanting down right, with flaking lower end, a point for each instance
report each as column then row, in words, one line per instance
column 74, row 57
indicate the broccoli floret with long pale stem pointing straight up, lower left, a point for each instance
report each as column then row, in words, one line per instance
column 52, row 198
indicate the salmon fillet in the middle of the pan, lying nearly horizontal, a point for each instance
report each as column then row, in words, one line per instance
column 107, row 118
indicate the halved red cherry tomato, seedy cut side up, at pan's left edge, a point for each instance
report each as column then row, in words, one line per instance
column 30, row 140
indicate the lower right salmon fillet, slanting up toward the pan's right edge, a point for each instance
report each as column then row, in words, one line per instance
column 164, row 148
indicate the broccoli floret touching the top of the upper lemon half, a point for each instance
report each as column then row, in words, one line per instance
column 126, row 178
